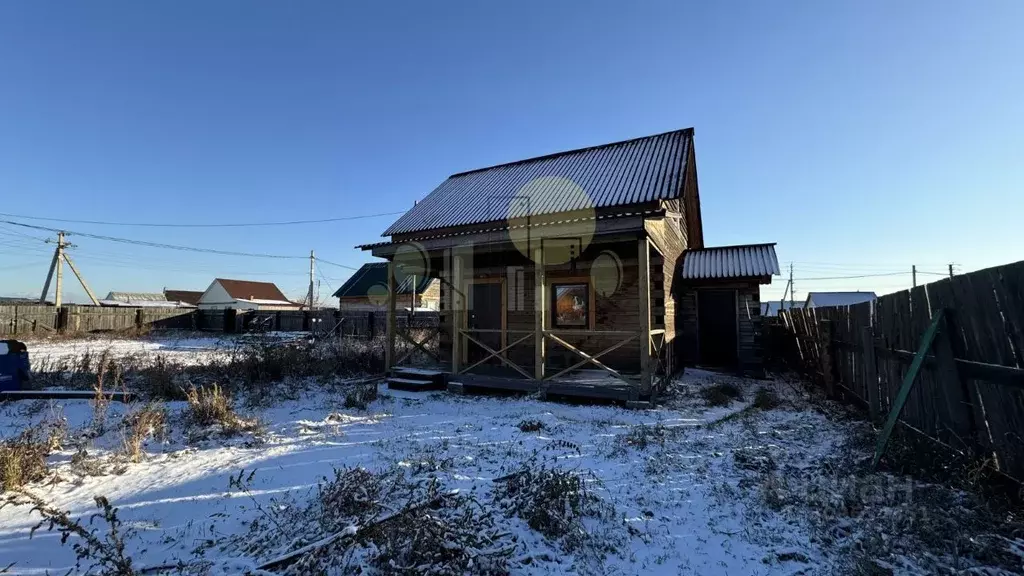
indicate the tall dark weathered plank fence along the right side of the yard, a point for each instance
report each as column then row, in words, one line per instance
column 970, row 392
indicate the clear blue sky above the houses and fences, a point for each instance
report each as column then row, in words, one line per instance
column 862, row 137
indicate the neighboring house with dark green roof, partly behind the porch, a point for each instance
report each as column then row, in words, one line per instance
column 367, row 291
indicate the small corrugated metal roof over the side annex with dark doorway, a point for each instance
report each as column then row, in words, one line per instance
column 731, row 262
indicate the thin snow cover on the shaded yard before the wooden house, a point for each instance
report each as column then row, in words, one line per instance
column 696, row 490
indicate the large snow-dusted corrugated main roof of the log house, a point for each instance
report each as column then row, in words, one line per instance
column 627, row 173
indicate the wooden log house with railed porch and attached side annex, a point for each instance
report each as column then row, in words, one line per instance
column 566, row 274
